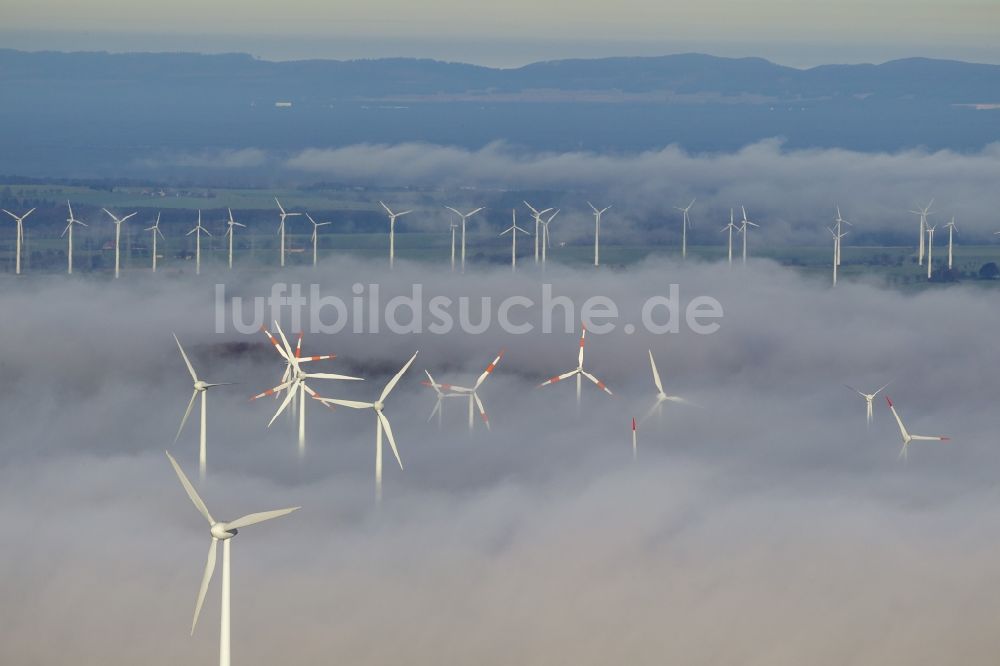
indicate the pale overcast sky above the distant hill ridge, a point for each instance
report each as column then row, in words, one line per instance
column 800, row 33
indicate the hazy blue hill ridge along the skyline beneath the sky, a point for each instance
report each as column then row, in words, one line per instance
column 690, row 73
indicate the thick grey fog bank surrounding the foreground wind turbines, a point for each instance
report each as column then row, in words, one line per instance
column 767, row 526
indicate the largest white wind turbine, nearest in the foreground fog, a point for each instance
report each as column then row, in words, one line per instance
column 224, row 532
